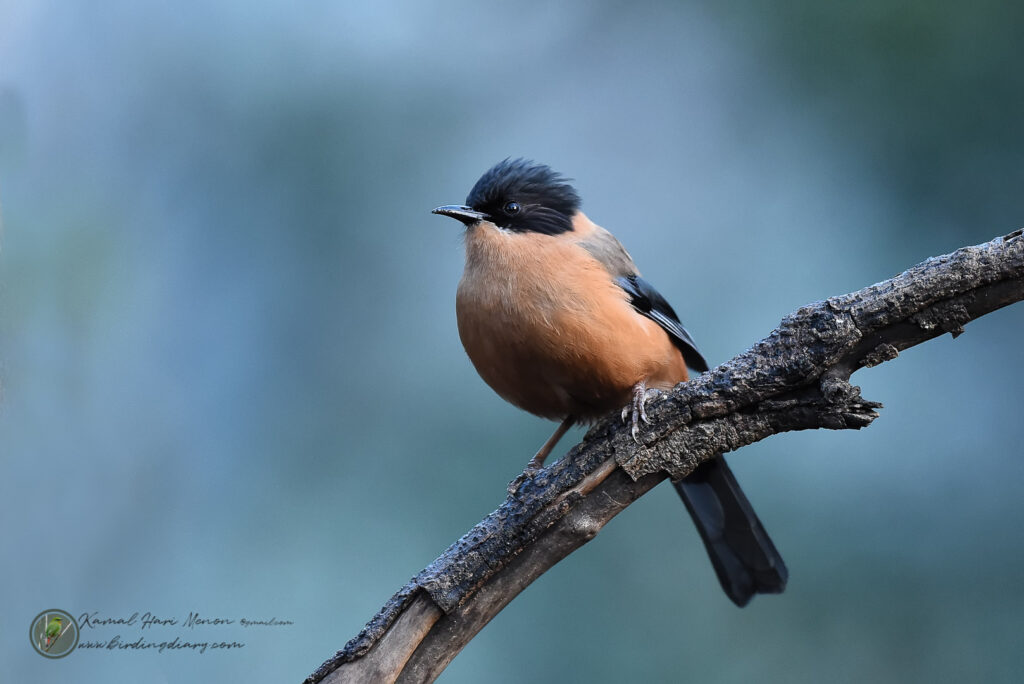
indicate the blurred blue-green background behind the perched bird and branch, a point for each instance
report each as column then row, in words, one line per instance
column 233, row 382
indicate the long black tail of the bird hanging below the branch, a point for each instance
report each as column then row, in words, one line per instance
column 745, row 559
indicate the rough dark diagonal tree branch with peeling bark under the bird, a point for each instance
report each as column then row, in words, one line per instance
column 795, row 379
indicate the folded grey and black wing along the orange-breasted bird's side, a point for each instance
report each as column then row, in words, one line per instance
column 645, row 298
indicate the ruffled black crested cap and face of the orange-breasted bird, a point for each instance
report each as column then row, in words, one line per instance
column 520, row 195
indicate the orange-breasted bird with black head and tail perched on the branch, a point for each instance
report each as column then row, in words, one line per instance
column 558, row 320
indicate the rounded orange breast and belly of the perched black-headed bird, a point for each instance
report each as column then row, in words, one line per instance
column 550, row 332
